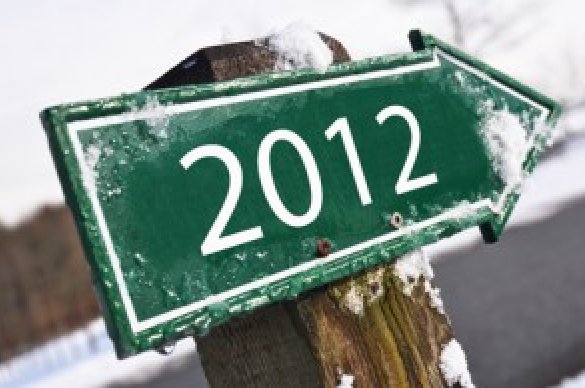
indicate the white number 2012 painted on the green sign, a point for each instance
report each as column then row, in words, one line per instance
column 215, row 242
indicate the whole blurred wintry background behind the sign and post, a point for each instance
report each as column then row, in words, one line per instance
column 518, row 307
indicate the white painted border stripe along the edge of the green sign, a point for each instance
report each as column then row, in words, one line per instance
column 138, row 326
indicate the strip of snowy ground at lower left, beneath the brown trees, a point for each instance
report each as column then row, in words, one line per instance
column 86, row 358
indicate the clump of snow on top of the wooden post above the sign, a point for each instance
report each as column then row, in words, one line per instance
column 299, row 46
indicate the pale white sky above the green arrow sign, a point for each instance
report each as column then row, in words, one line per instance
column 59, row 51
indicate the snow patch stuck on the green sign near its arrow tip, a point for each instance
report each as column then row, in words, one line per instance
column 507, row 141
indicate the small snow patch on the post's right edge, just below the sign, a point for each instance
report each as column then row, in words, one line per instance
column 414, row 266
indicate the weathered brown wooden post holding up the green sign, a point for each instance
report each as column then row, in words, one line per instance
column 364, row 326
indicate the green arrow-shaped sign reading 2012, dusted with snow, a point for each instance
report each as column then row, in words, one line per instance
column 203, row 202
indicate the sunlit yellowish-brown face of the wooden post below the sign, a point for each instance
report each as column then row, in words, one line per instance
column 395, row 342
